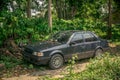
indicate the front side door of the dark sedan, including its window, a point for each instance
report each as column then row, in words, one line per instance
column 77, row 43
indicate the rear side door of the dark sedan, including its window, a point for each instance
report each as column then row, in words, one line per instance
column 91, row 43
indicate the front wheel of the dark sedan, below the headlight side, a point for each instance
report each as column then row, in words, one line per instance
column 56, row 61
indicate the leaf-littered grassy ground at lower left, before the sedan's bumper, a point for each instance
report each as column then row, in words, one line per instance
column 16, row 67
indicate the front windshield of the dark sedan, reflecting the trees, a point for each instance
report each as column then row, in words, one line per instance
column 61, row 37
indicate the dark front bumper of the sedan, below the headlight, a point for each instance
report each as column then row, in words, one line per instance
column 35, row 59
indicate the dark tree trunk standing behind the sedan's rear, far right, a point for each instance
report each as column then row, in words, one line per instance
column 109, row 21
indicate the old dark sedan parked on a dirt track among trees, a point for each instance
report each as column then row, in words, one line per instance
column 62, row 46
